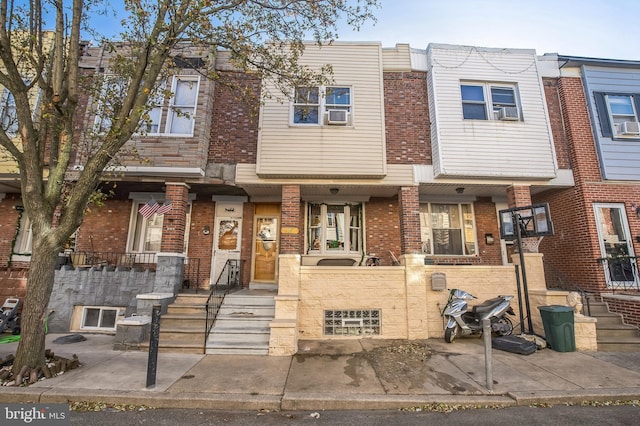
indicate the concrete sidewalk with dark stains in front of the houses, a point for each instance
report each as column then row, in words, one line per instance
column 344, row 374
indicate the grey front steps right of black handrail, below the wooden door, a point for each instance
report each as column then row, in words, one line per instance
column 242, row 325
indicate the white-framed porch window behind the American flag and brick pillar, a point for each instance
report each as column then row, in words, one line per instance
column 145, row 234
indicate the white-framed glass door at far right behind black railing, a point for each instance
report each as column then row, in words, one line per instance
column 615, row 245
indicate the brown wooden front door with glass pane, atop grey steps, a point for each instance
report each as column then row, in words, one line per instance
column 266, row 232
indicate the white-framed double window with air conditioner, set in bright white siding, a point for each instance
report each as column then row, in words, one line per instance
column 490, row 101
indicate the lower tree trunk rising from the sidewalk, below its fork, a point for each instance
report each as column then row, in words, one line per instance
column 35, row 310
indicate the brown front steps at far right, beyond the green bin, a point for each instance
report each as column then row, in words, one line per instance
column 613, row 335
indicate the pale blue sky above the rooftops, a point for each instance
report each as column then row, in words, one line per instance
column 593, row 28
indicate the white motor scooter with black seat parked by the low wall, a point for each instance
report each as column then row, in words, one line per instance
column 461, row 321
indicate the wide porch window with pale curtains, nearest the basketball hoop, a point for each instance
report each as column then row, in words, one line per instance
column 447, row 229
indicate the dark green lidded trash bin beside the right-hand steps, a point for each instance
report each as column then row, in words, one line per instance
column 558, row 327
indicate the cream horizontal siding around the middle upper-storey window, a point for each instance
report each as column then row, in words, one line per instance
column 355, row 150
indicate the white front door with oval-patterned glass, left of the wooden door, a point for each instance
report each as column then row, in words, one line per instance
column 227, row 237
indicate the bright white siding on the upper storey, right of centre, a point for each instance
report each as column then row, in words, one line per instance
column 488, row 148
